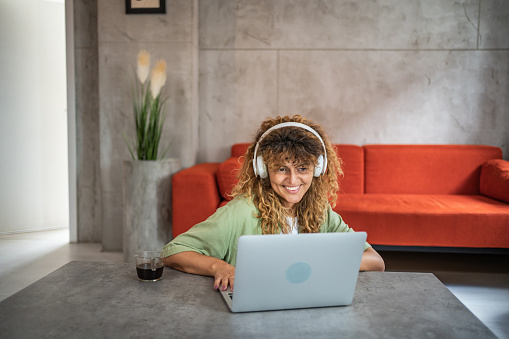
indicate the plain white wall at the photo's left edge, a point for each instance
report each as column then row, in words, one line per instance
column 33, row 121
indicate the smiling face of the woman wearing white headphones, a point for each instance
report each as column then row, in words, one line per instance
column 291, row 180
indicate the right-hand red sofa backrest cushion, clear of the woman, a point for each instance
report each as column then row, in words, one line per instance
column 426, row 169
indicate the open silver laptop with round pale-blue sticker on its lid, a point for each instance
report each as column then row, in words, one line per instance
column 275, row 272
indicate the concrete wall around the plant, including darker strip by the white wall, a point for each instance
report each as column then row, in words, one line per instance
column 107, row 43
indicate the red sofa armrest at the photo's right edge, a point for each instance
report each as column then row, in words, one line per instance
column 494, row 181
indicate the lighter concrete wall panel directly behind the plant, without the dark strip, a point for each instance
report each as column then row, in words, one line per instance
column 169, row 36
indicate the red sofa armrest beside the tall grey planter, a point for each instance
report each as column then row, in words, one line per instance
column 195, row 196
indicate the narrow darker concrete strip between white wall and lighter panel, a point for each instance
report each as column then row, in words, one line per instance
column 87, row 122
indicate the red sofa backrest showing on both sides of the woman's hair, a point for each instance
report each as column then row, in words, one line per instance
column 351, row 155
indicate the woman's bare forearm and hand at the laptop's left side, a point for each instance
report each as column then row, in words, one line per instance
column 196, row 263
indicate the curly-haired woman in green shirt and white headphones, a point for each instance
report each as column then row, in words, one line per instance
column 287, row 184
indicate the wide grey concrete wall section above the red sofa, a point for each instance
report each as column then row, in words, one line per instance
column 386, row 71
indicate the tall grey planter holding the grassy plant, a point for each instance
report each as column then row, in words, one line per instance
column 147, row 205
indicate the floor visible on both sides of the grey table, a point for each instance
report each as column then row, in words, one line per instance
column 479, row 281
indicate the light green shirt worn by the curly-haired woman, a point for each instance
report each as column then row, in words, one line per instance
column 218, row 235
